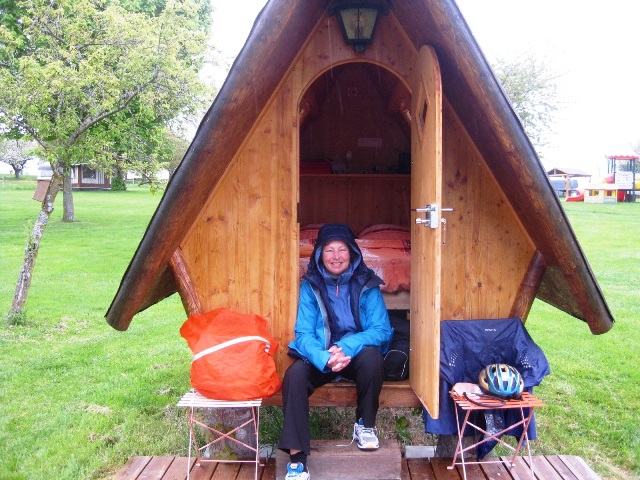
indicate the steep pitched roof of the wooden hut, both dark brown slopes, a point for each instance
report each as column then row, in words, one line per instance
column 470, row 87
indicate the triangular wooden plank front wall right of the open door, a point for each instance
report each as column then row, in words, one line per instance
column 487, row 251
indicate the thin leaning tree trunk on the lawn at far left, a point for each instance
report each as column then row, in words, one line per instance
column 33, row 245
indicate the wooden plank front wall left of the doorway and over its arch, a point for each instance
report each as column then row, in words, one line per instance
column 243, row 250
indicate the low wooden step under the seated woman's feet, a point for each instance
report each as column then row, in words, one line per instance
column 330, row 462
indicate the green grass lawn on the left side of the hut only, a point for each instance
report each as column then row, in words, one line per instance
column 78, row 397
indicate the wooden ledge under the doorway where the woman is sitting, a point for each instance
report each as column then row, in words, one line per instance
column 343, row 394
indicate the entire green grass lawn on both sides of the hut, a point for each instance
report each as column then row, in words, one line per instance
column 77, row 398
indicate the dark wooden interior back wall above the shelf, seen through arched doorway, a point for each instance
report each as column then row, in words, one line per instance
column 355, row 112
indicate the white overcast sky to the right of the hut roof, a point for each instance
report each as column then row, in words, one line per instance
column 594, row 47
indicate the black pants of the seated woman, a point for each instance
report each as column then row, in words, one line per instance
column 302, row 378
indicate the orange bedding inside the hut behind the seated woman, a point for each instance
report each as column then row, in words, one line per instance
column 390, row 259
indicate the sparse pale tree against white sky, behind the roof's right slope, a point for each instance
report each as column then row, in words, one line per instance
column 532, row 88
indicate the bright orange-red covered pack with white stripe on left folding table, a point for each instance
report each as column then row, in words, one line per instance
column 232, row 355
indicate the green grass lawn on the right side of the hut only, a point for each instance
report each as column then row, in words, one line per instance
column 593, row 392
